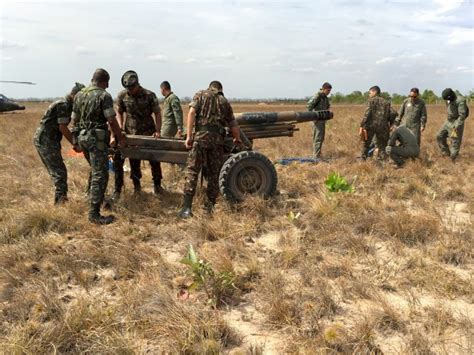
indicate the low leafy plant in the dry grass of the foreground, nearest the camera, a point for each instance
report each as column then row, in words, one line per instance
column 218, row 286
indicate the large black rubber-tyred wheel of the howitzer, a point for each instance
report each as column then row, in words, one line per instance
column 247, row 173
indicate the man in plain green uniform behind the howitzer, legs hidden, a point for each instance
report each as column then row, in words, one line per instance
column 172, row 113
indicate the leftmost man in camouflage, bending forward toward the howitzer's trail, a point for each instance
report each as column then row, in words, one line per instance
column 48, row 136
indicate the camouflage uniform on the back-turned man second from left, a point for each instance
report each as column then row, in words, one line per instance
column 92, row 107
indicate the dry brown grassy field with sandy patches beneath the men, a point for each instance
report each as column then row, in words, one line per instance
column 385, row 269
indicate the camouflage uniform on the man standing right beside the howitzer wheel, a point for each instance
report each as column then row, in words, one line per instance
column 213, row 113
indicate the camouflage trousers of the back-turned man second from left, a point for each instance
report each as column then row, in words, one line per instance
column 94, row 145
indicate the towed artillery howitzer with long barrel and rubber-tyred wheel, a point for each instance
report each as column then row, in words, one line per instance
column 245, row 171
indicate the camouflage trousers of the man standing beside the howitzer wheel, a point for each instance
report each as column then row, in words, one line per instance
column 207, row 157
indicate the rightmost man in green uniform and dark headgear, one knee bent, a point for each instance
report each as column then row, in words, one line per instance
column 458, row 111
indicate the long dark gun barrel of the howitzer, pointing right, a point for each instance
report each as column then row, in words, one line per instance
column 249, row 118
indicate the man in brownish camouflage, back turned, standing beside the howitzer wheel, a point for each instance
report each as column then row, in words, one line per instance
column 211, row 112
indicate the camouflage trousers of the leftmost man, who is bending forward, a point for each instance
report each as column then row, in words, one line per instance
column 50, row 154
